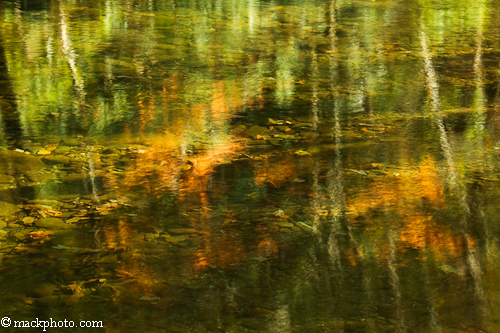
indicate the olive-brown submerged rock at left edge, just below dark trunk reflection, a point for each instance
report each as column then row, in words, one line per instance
column 12, row 162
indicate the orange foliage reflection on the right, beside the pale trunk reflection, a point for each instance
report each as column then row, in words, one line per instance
column 412, row 196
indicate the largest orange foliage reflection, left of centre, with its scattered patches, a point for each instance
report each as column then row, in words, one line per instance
column 181, row 160
